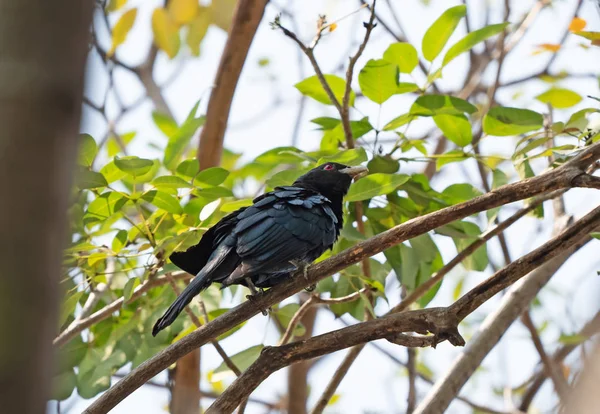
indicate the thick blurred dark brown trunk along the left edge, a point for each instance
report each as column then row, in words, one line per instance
column 43, row 46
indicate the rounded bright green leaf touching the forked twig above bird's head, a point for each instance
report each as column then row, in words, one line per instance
column 378, row 80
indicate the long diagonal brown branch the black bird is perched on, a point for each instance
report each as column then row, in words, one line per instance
column 561, row 177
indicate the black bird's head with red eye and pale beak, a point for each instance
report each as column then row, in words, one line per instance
column 331, row 179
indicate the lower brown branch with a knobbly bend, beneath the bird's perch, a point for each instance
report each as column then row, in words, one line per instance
column 441, row 322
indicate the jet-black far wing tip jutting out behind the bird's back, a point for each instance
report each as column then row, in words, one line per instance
column 194, row 259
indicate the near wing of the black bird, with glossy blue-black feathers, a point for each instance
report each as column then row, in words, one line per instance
column 287, row 224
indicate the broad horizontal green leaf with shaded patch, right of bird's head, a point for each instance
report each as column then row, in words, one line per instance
column 504, row 121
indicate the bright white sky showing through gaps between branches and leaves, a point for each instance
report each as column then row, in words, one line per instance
column 263, row 116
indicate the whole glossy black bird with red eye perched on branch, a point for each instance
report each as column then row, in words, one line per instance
column 260, row 245
